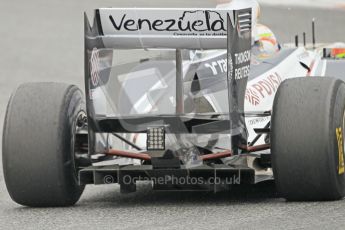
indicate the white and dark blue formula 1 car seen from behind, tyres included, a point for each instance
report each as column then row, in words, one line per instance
column 187, row 99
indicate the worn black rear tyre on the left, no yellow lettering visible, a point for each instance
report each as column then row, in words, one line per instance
column 38, row 144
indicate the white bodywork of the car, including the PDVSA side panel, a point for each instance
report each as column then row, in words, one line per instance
column 261, row 90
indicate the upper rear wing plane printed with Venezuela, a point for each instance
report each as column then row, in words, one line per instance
column 128, row 28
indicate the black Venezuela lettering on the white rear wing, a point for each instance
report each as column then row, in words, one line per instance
column 204, row 21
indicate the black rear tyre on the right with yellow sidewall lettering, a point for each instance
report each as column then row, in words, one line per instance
column 308, row 139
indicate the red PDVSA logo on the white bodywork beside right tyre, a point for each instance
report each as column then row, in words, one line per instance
column 263, row 88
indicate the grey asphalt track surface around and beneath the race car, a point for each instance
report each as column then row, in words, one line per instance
column 43, row 41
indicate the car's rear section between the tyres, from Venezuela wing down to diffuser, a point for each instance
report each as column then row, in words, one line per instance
column 146, row 103
